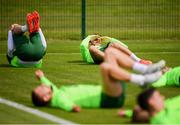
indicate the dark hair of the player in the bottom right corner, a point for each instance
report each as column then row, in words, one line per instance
column 144, row 97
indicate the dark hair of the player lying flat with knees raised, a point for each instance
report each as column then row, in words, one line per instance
column 37, row 101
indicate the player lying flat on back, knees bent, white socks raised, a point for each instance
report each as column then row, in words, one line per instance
column 110, row 95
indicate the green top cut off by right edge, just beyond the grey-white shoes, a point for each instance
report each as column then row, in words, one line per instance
column 170, row 78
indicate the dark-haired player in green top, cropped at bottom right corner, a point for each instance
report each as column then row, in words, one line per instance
column 160, row 111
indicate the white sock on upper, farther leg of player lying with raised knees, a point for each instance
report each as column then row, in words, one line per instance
column 138, row 67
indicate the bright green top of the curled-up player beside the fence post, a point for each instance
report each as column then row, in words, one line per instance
column 84, row 46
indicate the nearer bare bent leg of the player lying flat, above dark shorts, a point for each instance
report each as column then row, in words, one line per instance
column 112, row 75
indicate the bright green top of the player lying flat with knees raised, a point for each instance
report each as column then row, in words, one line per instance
column 88, row 96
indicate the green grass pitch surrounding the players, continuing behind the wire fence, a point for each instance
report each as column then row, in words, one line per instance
column 147, row 27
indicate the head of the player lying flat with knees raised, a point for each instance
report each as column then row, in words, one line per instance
column 41, row 95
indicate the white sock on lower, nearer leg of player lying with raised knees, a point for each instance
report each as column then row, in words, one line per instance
column 137, row 79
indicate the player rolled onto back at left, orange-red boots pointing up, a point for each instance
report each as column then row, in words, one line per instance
column 24, row 51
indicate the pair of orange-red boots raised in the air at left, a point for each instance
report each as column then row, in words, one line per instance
column 33, row 21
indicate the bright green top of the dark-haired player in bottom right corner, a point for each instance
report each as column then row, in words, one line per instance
column 170, row 114
